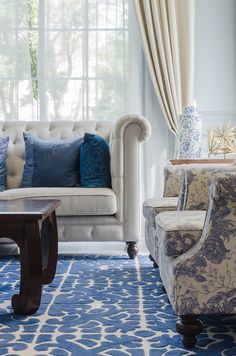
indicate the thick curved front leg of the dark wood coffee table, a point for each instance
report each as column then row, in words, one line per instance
column 28, row 300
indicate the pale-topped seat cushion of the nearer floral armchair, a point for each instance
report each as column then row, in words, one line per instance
column 178, row 231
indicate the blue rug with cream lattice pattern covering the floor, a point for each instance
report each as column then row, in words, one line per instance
column 102, row 306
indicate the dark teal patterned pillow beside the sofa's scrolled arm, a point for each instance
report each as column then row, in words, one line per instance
column 94, row 162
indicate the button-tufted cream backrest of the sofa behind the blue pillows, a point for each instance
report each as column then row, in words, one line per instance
column 46, row 130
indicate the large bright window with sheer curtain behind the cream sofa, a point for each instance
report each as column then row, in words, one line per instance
column 75, row 55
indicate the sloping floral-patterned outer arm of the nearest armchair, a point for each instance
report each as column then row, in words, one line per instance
column 205, row 275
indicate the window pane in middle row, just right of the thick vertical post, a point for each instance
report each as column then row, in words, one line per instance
column 64, row 53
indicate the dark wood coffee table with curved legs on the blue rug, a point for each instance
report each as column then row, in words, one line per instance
column 32, row 225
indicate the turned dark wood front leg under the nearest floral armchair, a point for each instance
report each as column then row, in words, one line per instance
column 189, row 327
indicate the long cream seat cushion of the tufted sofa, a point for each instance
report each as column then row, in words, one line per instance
column 74, row 201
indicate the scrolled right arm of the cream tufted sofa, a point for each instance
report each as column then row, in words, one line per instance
column 128, row 133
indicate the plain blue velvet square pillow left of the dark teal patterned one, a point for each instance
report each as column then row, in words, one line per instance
column 51, row 163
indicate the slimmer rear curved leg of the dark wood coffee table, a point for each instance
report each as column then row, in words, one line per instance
column 49, row 243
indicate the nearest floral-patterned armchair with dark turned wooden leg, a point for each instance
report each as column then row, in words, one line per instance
column 197, row 249
